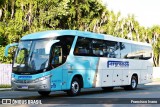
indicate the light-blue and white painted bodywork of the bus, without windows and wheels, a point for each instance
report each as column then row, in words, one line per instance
column 95, row 71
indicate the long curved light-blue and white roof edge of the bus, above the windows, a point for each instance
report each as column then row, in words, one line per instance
column 54, row 33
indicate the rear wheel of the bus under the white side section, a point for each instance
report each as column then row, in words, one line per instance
column 133, row 84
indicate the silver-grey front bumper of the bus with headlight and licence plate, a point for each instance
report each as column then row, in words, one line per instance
column 33, row 85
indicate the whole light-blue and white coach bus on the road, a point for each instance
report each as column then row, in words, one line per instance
column 69, row 60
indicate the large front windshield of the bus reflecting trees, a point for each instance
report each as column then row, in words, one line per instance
column 32, row 56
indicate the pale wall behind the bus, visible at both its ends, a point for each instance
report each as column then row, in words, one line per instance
column 6, row 69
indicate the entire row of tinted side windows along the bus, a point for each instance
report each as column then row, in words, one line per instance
column 110, row 49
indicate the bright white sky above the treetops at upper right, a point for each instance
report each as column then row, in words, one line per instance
column 147, row 12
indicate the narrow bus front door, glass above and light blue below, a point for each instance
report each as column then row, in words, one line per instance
column 56, row 62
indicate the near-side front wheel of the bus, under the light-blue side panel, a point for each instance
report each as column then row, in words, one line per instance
column 75, row 87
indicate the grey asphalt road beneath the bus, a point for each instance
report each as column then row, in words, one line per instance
column 94, row 96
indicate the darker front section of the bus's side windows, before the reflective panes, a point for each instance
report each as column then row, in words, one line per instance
column 96, row 47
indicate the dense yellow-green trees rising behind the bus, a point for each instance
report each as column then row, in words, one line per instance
column 21, row 17
